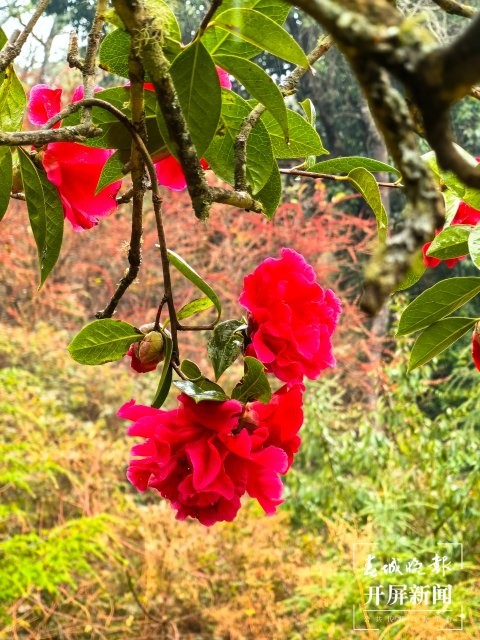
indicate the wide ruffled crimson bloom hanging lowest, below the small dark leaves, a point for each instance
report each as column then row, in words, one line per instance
column 203, row 457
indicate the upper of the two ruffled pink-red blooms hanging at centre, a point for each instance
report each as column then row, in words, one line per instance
column 291, row 318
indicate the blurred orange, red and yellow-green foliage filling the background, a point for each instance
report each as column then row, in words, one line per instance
column 387, row 457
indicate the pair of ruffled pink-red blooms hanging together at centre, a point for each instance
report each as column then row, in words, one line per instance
column 204, row 457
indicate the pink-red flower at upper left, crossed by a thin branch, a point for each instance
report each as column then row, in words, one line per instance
column 72, row 167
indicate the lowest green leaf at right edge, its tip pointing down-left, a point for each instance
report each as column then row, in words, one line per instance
column 438, row 337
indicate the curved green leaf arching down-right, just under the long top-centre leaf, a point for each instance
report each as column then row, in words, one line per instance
column 259, row 85
